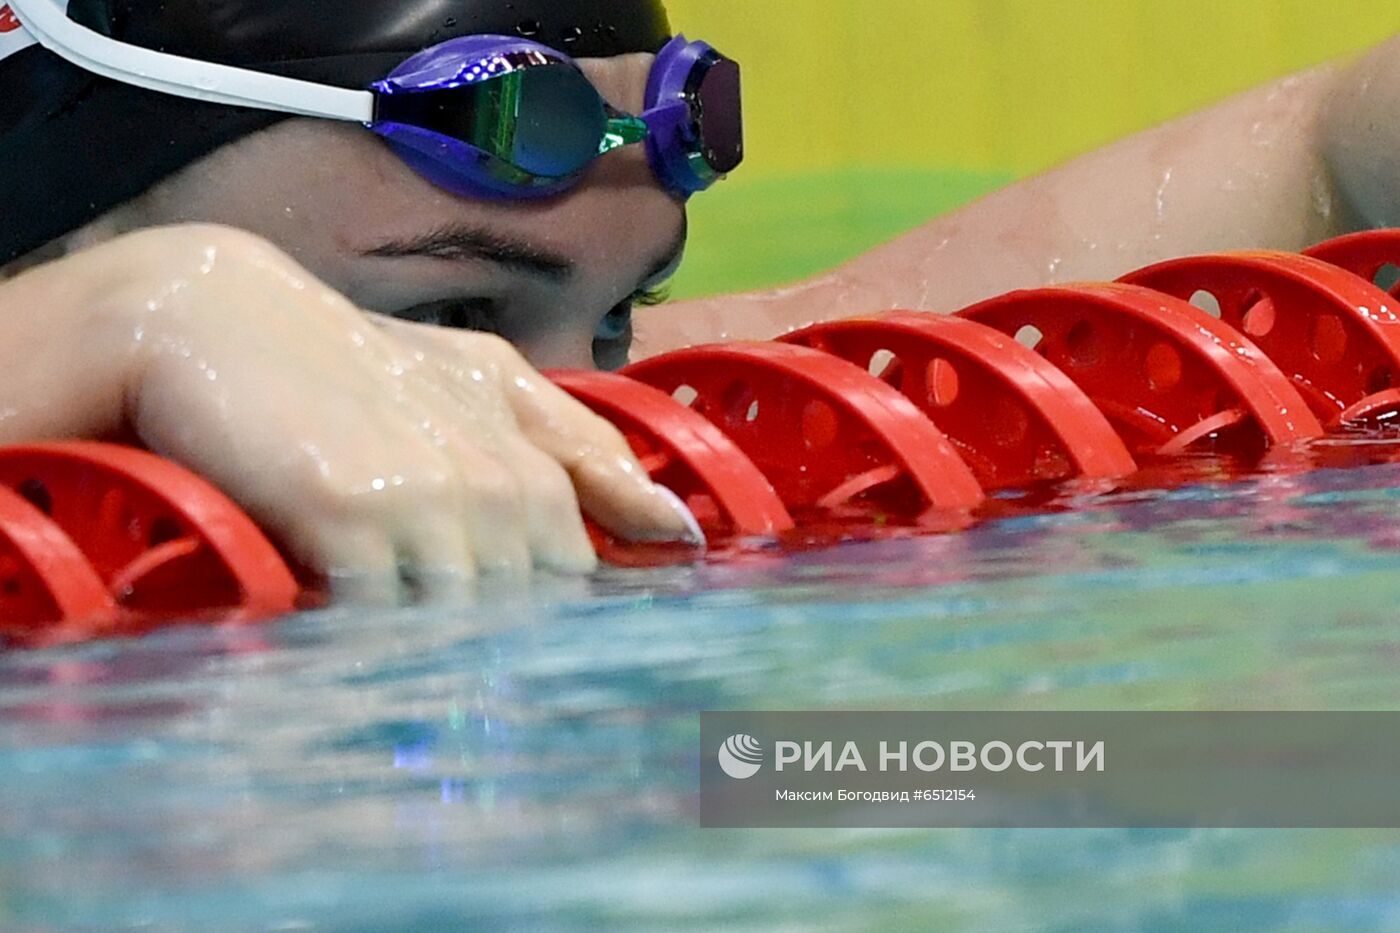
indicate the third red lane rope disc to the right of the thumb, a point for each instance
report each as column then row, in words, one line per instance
column 1014, row 418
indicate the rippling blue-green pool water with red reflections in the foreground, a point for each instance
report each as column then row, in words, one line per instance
column 531, row 763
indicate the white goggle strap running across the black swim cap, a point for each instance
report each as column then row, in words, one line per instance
column 50, row 26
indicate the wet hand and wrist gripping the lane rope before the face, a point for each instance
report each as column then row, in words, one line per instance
column 397, row 462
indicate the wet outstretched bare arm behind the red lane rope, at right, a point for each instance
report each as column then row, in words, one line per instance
column 1266, row 169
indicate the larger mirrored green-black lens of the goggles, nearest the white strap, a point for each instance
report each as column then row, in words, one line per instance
column 547, row 121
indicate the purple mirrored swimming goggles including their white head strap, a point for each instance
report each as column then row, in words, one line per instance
column 485, row 116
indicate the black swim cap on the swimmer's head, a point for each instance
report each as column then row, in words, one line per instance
column 75, row 146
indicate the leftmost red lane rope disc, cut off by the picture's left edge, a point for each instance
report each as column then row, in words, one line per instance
column 44, row 578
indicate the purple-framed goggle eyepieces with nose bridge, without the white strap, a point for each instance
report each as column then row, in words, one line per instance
column 493, row 117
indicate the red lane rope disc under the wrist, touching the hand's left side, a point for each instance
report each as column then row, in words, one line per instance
column 164, row 541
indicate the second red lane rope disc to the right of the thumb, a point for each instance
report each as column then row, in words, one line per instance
column 827, row 434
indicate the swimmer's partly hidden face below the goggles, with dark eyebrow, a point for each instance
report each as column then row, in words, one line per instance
column 556, row 278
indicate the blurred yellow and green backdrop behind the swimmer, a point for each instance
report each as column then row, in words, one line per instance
column 867, row 117
